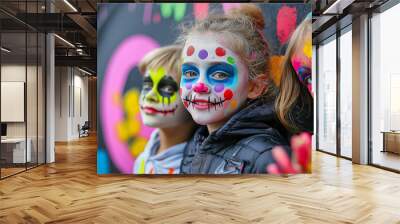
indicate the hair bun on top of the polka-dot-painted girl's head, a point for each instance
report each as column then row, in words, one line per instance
column 250, row 10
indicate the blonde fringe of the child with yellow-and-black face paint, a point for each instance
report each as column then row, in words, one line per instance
column 168, row 57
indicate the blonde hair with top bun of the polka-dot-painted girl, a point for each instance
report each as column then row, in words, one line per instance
column 242, row 29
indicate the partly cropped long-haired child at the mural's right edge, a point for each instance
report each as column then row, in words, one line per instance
column 294, row 104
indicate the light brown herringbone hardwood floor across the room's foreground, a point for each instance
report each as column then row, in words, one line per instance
column 70, row 191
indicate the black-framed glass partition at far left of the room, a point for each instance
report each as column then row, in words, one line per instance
column 22, row 107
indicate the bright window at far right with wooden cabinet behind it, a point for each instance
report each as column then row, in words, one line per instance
column 385, row 90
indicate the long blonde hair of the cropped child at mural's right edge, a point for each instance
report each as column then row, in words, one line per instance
column 290, row 88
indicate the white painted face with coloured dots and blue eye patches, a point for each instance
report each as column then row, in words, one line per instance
column 214, row 83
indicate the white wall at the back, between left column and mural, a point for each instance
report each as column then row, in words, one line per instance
column 71, row 94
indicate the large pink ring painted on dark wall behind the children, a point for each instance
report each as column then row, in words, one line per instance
column 124, row 59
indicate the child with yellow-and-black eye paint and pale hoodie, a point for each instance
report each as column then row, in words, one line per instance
column 161, row 107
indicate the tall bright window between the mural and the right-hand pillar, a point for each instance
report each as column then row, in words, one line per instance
column 334, row 94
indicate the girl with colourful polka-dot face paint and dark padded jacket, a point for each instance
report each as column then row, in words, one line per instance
column 226, row 86
